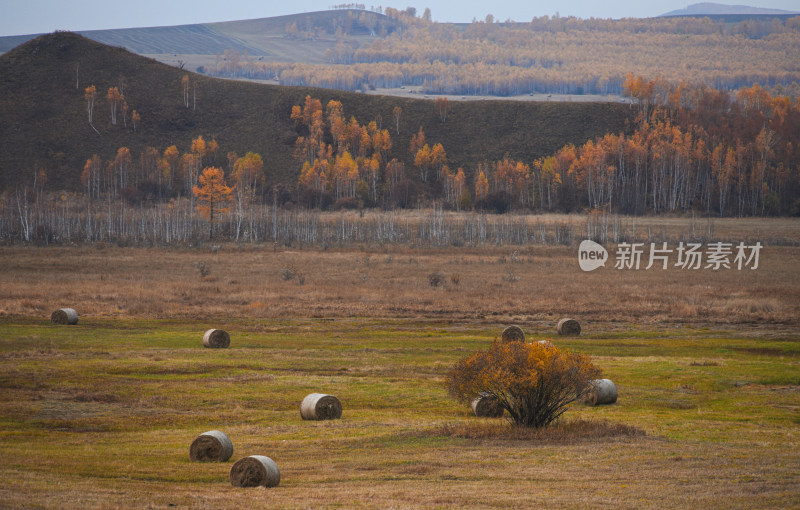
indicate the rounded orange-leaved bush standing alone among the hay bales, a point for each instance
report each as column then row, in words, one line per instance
column 533, row 382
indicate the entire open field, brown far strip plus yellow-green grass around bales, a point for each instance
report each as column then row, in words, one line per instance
column 101, row 414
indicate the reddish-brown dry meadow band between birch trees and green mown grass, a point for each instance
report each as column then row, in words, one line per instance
column 532, row 285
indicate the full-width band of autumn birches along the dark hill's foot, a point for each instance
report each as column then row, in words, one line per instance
column 694, row 149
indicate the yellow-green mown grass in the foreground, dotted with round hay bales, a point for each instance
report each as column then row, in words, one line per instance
column 102, row 414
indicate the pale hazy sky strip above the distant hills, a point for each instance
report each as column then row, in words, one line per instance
column 18, row 17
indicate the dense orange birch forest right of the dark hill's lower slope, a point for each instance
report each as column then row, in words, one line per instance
column 694, row 148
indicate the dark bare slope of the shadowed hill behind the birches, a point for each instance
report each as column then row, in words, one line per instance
column 44, row 121
